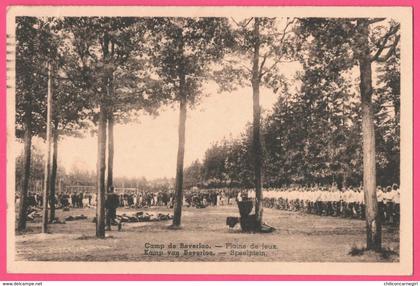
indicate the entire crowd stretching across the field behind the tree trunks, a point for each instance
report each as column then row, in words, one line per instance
column 317, row 200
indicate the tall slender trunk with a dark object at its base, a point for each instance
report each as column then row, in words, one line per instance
column 256, row 137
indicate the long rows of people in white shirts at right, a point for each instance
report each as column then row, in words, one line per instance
column 330, row 201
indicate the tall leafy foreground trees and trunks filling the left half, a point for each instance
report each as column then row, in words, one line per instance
column 101, row 70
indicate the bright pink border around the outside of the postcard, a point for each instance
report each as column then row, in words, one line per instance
column 4, row 276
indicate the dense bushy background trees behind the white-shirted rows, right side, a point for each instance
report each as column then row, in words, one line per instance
column 312, row 135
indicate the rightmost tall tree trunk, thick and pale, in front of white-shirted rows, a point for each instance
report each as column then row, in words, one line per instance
column 373, row 221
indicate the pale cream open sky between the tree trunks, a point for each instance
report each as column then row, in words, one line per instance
column 149, row 148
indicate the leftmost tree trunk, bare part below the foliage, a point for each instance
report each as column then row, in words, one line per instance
column 23, row 207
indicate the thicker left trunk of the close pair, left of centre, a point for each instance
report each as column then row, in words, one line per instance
column 100, row 168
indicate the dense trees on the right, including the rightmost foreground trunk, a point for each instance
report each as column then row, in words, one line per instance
column 328, row 131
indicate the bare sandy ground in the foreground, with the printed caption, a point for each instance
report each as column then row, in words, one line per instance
column 204, row 237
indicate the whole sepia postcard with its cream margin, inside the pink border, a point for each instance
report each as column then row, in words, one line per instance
column 188, row 139
